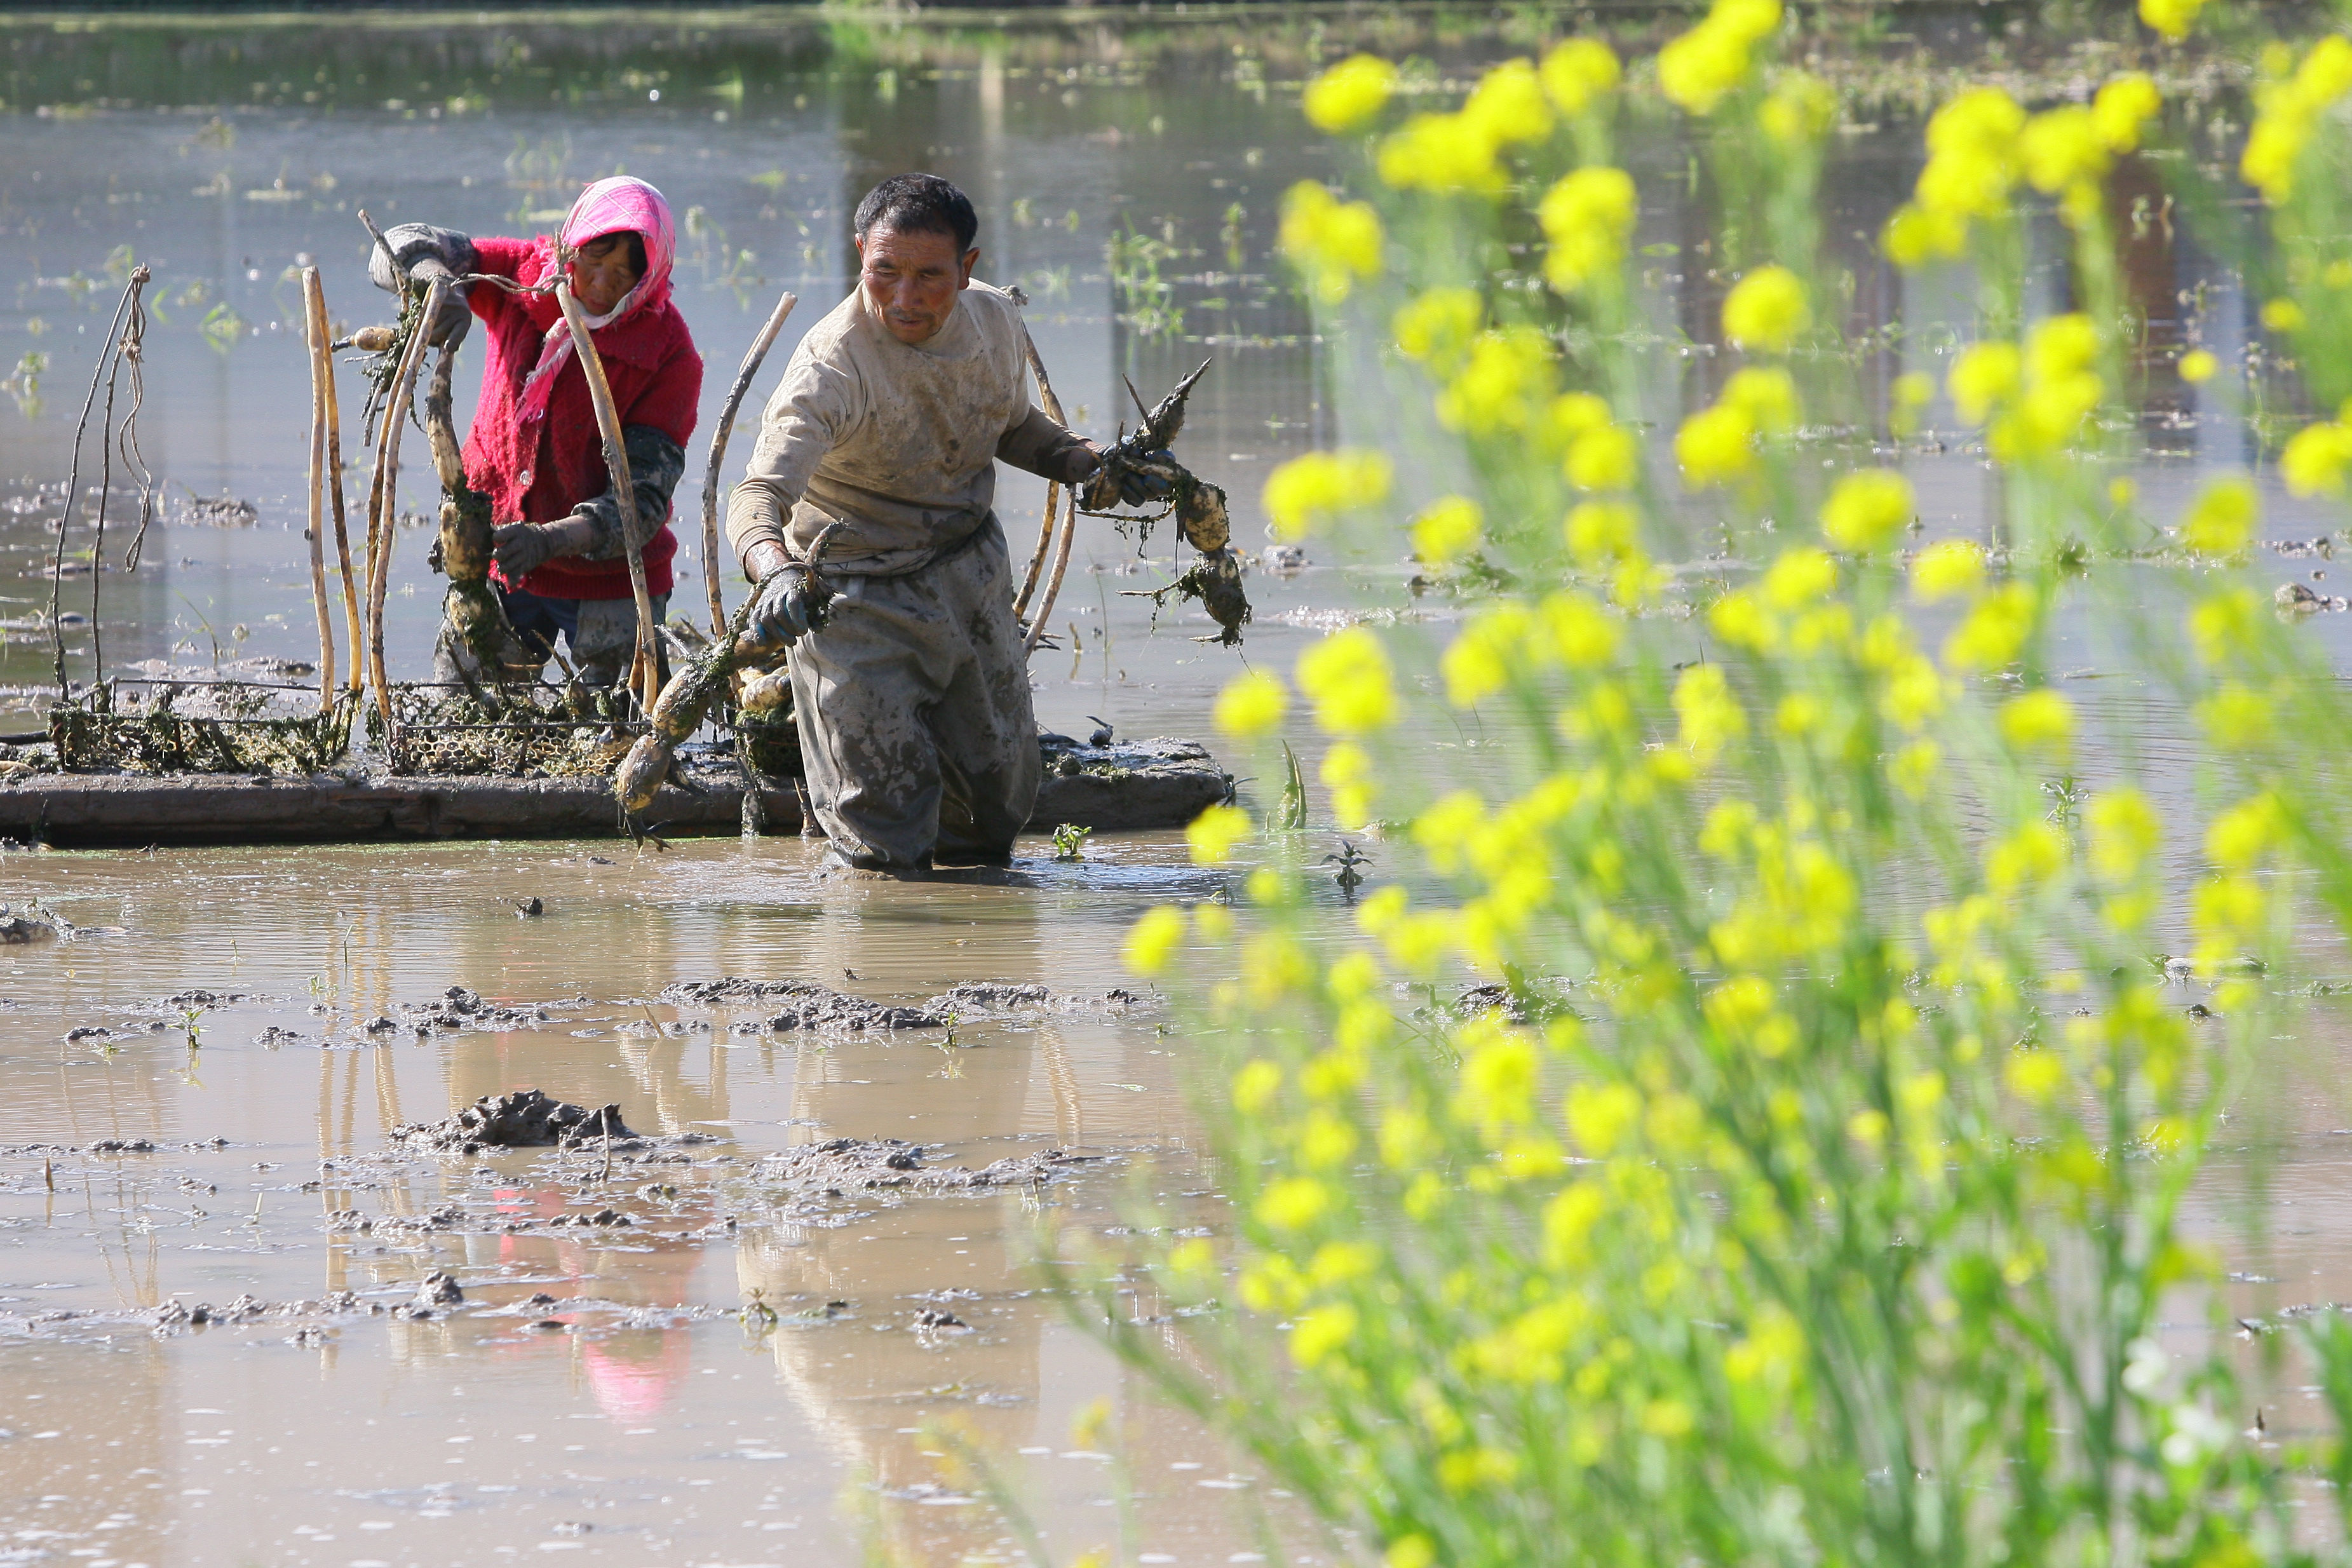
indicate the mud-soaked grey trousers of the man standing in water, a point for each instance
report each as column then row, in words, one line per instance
column 914, row 711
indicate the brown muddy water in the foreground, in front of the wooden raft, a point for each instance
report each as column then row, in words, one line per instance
column 624, row 1414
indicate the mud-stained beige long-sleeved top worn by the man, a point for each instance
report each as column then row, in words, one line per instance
column 895, row 441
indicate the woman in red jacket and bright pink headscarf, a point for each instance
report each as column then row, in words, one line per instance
column 535, row 448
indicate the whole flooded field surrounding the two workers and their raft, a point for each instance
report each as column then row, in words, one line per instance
column 241, row 1320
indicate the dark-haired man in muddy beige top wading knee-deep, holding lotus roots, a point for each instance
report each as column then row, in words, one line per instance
column 911, row 688
